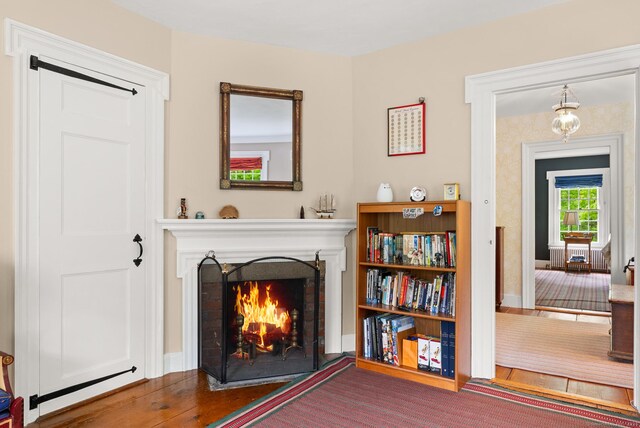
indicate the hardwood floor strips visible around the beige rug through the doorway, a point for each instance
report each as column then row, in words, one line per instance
column 575, row 391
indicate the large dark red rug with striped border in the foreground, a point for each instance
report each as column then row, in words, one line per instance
column 341, row 395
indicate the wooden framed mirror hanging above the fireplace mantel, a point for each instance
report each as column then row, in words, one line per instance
column 260, row 137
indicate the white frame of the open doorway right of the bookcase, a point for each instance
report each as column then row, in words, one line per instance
column 480, row 92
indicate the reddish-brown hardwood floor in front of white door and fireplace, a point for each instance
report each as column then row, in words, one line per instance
column 174, row 400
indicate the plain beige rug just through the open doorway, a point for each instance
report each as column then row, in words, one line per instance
column 573, row 349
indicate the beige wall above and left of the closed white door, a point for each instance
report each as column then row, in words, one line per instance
column 97, row 23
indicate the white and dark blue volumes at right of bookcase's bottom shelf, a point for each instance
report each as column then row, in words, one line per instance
column 437, row 354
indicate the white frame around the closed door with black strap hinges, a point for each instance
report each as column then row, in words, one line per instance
column 22, row 41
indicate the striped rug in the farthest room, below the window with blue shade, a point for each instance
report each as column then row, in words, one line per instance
column 573, row 290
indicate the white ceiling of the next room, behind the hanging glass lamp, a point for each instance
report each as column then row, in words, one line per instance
column 590, row 93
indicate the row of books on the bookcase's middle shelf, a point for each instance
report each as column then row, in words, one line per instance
column 403, row 290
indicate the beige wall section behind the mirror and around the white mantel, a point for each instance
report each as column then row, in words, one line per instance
column 199, row 64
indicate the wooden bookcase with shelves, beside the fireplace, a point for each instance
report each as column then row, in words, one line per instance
column 388, row 217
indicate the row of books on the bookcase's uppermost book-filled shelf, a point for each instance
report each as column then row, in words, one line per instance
column 415, row 249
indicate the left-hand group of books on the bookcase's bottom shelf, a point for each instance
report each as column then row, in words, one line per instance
column 383, row 335
